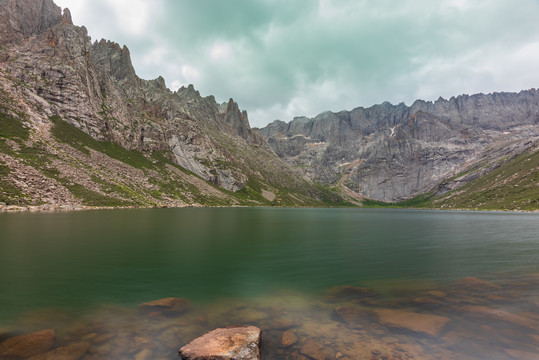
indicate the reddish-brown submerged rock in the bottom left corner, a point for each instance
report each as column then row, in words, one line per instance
column 27, row 345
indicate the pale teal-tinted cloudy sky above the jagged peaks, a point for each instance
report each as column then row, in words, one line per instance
column 284, row 58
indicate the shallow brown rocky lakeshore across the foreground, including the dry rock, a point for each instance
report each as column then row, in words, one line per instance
column 468, row 319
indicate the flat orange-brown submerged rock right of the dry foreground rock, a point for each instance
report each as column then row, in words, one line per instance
column 422, row 323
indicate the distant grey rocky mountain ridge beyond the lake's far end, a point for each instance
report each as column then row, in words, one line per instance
column 392, row 153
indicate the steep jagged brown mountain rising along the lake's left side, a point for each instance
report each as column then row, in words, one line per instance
column 79, row 127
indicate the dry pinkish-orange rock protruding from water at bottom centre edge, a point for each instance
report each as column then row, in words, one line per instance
column 231, row 343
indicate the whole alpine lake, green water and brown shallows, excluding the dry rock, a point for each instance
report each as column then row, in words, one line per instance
column 320, row 283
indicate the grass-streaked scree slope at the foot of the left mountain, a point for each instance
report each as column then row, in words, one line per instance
column 101, row 173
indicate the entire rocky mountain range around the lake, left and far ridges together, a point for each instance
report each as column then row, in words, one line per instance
column 79, row 128
